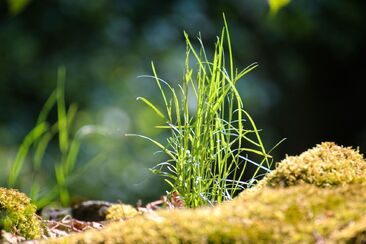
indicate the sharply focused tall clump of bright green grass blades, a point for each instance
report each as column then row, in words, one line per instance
column 209, row 148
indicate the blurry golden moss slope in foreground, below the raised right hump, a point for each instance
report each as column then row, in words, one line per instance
column 297, row 214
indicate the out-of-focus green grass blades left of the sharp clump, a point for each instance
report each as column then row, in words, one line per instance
column 38, row 140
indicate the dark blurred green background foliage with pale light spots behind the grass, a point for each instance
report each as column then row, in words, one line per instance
column 308, row 86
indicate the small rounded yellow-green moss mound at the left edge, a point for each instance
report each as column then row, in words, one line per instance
column 18, row 214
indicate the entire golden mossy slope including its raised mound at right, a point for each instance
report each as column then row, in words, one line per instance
column 317, row 197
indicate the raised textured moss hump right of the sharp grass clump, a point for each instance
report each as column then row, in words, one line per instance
column 325, row 165
